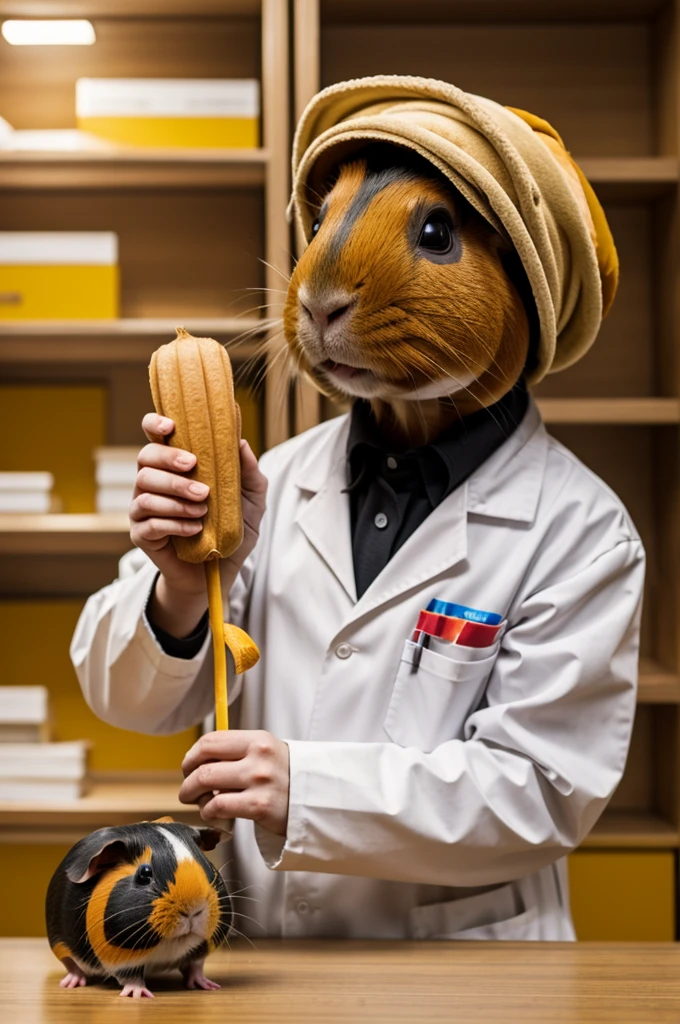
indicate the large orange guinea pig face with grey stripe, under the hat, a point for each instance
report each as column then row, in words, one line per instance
column 403, row 294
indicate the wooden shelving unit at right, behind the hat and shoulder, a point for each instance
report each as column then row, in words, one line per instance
column 607, row 76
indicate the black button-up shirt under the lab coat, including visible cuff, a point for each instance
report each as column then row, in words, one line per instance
column 392, row 493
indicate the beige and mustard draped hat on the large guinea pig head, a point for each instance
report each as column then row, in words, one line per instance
column 511, row 165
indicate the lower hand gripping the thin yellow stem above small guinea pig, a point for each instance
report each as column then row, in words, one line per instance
column 239, row 775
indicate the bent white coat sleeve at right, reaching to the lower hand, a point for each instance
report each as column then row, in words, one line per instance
column 536, row 767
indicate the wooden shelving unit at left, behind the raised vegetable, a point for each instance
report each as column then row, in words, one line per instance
column 203, row 243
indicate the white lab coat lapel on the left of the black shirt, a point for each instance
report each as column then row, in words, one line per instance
column 325, row 519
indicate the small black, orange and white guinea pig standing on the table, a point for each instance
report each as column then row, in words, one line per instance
column 137, row 898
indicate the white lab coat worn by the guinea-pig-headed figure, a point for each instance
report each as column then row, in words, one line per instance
column 411, row 793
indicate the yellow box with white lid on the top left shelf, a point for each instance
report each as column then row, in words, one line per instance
column 172, row 113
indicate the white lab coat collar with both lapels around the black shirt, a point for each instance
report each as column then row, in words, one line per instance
column 506, row 487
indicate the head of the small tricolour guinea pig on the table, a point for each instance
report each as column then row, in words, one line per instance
column 153, row 892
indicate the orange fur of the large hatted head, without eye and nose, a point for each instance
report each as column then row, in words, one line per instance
column 412, row 322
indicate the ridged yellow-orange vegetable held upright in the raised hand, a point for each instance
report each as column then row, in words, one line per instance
column 192, row 383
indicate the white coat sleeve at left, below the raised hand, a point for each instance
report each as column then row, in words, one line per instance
column 126, row 678
